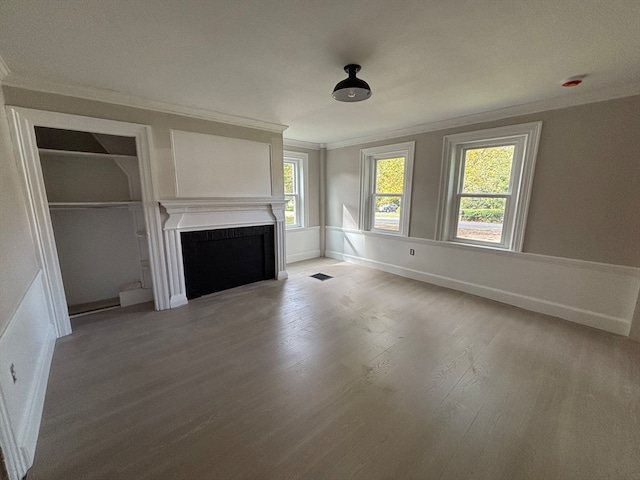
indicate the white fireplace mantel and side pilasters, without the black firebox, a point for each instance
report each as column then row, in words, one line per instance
column 194, row 214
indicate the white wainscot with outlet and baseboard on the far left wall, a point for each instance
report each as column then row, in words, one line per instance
column 26, row 348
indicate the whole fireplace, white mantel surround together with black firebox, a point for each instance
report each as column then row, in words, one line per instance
column 256, row 224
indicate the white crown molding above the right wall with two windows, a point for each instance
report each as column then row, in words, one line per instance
column 554, row 103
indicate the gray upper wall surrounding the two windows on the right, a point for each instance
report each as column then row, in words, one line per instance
column 585, row 199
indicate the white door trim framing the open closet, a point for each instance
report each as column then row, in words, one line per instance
column 22, row 122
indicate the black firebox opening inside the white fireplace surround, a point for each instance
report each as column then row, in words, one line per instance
column 215, row 260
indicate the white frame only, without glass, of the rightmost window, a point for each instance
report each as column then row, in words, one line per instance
column 525, row 138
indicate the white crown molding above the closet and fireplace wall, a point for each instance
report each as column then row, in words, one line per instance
column 110, row 96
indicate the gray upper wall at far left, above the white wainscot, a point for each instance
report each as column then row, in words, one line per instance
column 19, row 263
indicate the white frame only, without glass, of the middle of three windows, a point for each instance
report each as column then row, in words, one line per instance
column 368, row 159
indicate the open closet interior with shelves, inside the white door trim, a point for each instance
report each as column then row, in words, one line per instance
column 93, row 187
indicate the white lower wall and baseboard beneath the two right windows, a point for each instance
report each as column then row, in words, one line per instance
column 603, row 297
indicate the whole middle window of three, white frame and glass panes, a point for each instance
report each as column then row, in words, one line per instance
column 385, row 191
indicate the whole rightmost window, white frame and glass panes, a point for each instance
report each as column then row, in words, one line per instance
column 486, row 185
